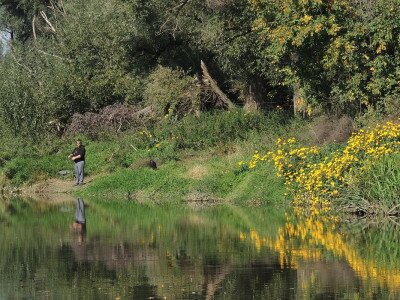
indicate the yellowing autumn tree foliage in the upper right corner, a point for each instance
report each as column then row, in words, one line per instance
column 341, row 54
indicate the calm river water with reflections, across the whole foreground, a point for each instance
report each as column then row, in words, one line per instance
column 132, row 251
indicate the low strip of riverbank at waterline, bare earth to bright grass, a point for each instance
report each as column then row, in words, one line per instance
column 200, row 180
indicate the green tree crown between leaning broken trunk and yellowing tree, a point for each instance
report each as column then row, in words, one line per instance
column 220, row 33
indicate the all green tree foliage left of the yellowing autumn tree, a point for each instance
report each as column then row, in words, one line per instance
column 85, row 55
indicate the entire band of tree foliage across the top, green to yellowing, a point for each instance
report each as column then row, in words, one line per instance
column 81, row 56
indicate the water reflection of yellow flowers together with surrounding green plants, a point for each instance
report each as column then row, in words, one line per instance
column 326, row 257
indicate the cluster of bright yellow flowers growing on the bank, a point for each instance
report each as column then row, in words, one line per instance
column 315, row 178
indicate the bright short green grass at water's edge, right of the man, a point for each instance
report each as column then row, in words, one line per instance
column 177, row 181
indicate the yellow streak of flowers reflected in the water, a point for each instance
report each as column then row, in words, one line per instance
column 313, row 234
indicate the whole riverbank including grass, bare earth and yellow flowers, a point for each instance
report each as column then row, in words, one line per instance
column 216, row 166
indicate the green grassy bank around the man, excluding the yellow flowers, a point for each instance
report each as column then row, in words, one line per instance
column 196, row 160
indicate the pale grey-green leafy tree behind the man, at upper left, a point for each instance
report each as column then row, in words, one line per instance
column 82, row 66
